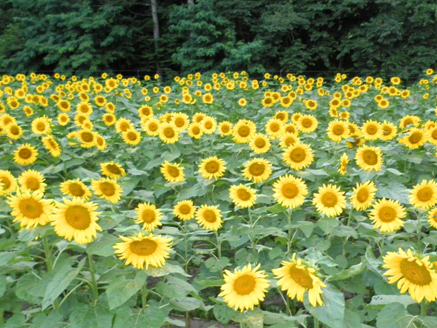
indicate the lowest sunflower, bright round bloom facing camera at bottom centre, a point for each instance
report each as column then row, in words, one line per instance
column 245, row 288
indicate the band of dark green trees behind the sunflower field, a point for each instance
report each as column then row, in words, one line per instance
column 396, row 37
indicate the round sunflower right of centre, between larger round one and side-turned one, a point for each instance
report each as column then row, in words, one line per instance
column 329, row 200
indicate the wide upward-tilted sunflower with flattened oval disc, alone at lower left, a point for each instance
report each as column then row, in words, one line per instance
column 140, row 250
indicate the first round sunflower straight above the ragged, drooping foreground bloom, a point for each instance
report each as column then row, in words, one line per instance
column 290, row 191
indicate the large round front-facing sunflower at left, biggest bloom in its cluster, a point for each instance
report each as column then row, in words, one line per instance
column 76, row 219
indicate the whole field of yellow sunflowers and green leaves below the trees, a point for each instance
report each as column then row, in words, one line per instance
column 280, row 202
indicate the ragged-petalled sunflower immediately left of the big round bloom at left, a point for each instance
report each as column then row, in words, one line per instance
column 29, row 209
